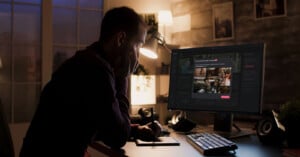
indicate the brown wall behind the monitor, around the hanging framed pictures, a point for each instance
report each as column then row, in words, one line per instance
column 281, row 35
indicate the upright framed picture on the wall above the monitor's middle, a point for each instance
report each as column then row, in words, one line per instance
column 222, row 14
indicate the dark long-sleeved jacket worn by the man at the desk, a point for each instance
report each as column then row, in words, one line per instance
column 82, row 100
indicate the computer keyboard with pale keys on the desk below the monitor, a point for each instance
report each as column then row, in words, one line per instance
column 211, row 143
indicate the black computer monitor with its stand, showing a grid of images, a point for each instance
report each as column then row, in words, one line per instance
column 221, row 79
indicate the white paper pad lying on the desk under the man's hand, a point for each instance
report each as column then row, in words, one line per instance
column 163, row 141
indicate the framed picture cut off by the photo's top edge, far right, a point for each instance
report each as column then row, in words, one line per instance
column 269, row 8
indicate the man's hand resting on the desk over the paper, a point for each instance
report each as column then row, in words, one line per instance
column 149, row 132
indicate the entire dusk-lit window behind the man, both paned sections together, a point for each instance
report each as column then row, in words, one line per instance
column 76, row 24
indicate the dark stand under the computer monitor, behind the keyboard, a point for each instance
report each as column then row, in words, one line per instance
column 223, row 125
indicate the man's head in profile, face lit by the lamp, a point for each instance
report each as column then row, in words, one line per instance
column 122, row 34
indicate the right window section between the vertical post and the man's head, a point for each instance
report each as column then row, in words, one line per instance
column 82, row 18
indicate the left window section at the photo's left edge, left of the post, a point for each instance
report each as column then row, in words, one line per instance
column 20, row 71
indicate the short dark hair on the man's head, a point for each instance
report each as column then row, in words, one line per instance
column 120, row 19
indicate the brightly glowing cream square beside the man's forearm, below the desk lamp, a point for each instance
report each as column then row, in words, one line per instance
column 142, row 89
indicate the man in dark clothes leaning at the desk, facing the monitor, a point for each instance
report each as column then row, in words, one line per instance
column 86, row 98
